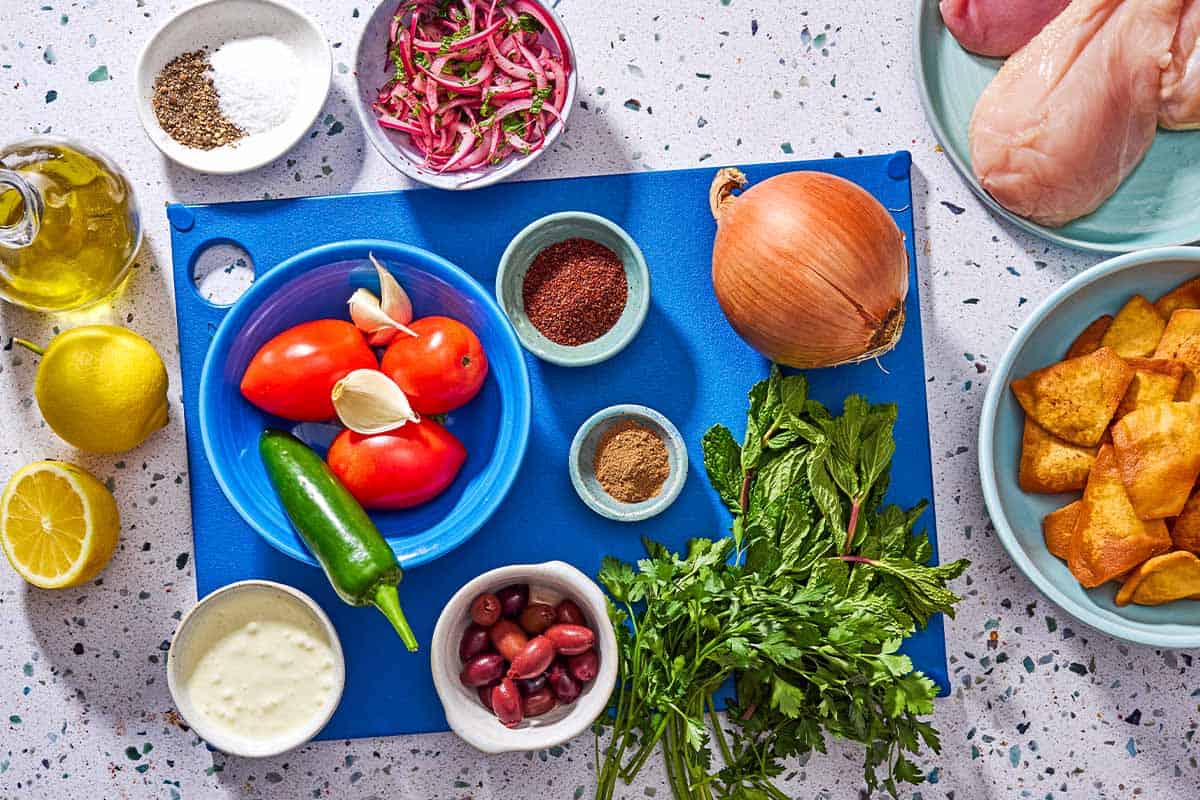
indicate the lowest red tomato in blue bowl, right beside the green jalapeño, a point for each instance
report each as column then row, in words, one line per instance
column 399, row 470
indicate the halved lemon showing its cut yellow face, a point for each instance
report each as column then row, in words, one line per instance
column 58, row 525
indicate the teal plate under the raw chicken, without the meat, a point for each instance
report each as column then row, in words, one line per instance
column 1157, row 204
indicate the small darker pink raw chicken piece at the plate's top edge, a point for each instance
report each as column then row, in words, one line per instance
column 998, row 27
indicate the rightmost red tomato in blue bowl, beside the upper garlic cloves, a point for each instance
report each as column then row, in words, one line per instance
column 442, row 369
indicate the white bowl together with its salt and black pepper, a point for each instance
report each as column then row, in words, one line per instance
column 231, row 86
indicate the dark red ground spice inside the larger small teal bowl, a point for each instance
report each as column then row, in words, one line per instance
column 575, row 292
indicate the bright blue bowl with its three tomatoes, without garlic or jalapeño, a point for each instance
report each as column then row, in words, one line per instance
column 429, row 485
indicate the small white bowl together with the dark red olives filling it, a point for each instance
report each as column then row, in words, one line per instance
column 525, row 658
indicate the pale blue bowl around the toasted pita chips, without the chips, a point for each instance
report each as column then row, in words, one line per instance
column 1018, row 515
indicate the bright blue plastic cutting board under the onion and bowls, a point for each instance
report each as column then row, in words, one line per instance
column 687, row 363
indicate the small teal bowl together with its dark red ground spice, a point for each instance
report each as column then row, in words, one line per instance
column 575, row 287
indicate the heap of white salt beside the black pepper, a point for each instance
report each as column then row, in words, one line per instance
column 256, row 80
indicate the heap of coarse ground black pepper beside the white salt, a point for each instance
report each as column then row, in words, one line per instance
column 188, row 107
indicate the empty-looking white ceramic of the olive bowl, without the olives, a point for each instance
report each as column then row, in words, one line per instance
column 476, row 725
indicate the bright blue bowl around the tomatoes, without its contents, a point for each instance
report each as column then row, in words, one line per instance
column 315, row 285
